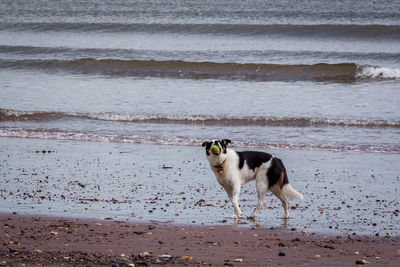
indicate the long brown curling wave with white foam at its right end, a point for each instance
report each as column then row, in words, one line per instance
column 344, row 72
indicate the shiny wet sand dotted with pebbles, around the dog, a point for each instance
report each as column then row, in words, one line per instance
column 344, row 193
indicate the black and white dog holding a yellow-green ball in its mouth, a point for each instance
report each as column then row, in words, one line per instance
column 233, row 169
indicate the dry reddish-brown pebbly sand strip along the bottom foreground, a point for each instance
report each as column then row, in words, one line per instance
column 53, row 241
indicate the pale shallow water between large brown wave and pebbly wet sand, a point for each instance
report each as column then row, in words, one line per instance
column 301, row 115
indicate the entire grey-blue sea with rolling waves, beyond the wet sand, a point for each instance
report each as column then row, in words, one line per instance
column 306, row 75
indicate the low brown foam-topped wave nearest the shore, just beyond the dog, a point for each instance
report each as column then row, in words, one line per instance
column 18, row 115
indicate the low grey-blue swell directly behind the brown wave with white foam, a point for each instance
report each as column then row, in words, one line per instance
column 242, row 56
